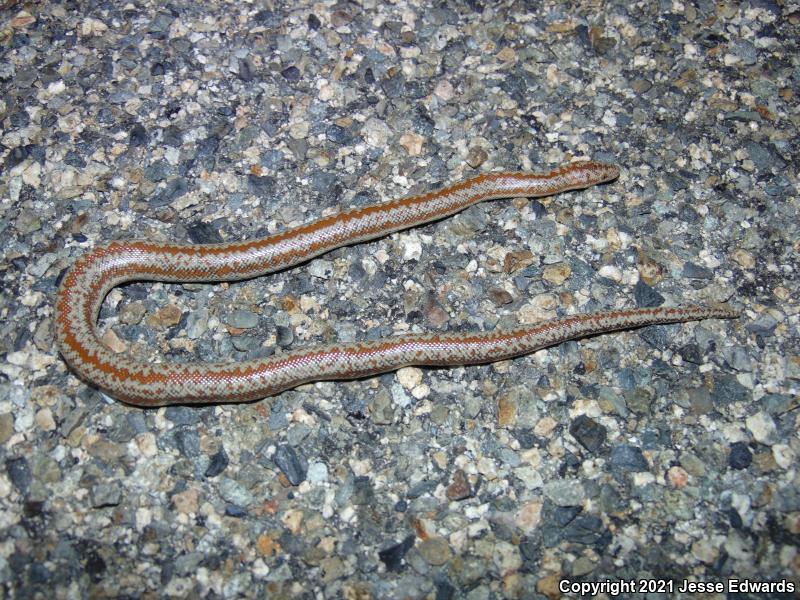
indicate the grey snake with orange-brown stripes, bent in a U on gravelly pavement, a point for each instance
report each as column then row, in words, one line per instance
column 84, row 286
